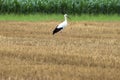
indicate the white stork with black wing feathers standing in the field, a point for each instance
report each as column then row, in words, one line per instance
column 61, row 25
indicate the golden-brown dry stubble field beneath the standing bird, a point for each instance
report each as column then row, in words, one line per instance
column 82, row 51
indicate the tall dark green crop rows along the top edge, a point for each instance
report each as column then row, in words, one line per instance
column 60, row 6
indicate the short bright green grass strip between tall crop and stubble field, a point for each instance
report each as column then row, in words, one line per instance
column 58, row 17
